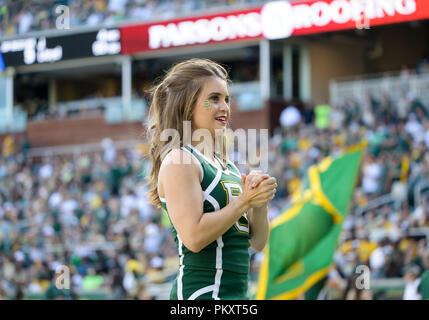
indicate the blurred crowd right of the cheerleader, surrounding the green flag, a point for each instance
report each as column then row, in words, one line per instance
column 388, row 236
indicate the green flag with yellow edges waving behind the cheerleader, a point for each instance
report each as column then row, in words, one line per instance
column 304, row 238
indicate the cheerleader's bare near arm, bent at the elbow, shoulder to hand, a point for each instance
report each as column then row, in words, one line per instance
column 184, row 197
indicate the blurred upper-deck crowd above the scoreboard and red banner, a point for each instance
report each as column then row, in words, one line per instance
column 22, row 16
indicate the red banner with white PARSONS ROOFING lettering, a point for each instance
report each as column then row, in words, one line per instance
column 274, row 20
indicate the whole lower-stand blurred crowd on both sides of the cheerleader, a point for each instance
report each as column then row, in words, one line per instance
column 88, row 212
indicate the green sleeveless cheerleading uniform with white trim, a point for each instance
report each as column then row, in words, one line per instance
column 221, row 269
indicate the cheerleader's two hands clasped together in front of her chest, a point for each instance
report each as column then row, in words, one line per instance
column 259, row 195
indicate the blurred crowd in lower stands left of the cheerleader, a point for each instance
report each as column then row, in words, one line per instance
column 87, row 212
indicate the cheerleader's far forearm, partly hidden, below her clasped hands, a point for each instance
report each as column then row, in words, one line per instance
column 259, row 227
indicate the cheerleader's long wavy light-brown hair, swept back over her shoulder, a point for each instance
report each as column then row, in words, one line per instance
column 173, row 101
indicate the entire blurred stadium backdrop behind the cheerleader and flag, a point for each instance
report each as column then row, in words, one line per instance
column 73, row 101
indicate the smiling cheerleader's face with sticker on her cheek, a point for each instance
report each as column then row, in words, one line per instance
column 212, row 110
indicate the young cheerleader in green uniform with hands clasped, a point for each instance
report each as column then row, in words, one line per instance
column 216, row 212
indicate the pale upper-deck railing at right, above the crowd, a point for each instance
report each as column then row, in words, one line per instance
column 395, row 87
